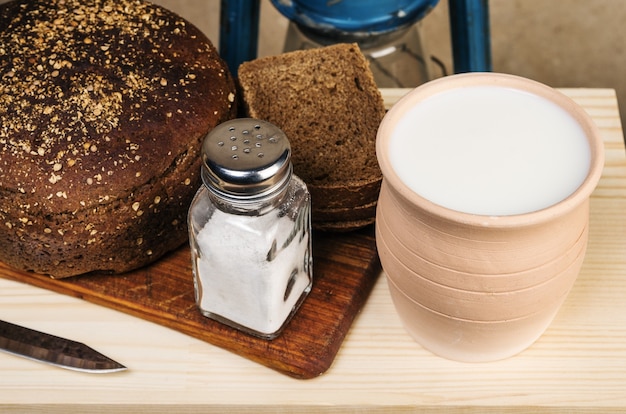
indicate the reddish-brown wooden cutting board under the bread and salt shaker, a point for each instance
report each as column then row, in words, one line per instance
column 345, row 267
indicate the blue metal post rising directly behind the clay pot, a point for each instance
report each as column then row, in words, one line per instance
column 471, row 41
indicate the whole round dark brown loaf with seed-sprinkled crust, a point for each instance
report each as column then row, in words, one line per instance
column 103, row 108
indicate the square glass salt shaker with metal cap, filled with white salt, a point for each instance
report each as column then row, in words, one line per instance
column 250, row 229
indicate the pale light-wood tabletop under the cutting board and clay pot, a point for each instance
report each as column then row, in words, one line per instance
column 579, row 364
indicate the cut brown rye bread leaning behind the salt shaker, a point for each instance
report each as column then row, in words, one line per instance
column 328, row 104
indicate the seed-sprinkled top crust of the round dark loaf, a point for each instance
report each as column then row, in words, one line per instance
column 97, row 97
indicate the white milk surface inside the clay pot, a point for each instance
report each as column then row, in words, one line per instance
column 490, row 150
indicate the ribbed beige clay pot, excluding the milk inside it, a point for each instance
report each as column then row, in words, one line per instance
column 477, row 287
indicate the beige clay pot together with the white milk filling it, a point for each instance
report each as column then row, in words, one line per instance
column 483, row 215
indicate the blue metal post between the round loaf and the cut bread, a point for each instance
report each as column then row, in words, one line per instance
column 239, row 31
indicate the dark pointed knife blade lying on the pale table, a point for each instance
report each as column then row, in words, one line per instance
column 54, row 350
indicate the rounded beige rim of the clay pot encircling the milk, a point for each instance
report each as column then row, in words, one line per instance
column 432, row 88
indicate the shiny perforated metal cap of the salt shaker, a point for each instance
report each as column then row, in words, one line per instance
column 246, row 157
